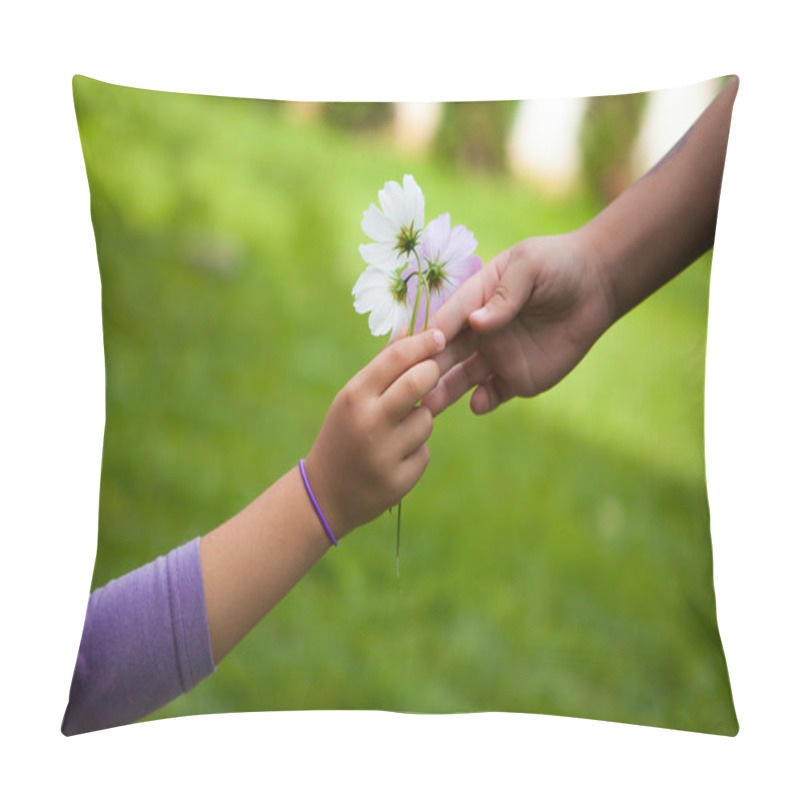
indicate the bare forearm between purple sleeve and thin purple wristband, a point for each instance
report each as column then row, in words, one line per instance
column 252, row 561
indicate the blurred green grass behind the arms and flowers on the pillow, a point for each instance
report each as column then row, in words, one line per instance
column 556, row 555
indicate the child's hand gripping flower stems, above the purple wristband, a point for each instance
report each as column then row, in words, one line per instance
column 371, row 449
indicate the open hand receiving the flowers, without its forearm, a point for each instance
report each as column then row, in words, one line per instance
column 521, row 324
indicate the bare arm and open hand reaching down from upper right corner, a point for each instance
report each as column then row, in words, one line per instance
column 532, row 313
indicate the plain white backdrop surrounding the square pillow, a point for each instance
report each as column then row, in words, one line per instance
column 52, row 395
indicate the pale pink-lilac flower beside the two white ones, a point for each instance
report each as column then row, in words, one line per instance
column 447, row 259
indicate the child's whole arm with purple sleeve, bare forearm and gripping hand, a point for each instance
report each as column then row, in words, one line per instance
column 157, row 631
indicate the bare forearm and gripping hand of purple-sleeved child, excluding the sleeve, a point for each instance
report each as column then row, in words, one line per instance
column 369, row 453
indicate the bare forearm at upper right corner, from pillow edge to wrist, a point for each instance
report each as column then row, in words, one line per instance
column 667, row 219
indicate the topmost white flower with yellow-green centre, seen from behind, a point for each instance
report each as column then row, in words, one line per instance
column 396, row 227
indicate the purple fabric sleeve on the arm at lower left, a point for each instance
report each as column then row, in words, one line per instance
column 145, row 641
